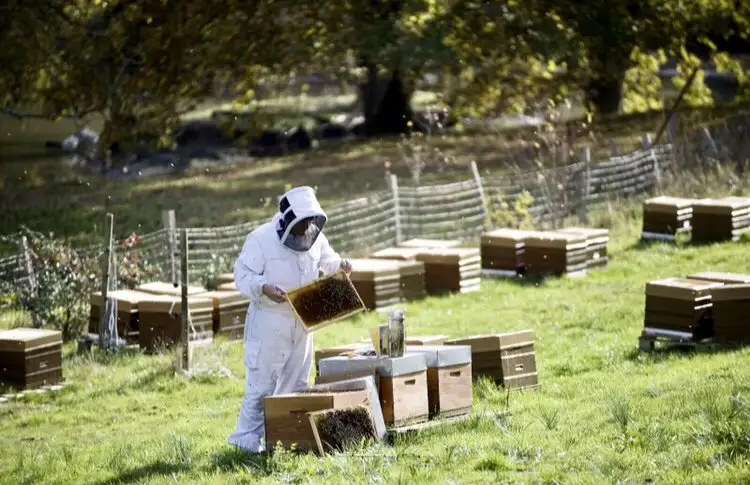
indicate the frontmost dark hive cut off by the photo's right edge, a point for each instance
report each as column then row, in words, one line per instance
column 731, row 313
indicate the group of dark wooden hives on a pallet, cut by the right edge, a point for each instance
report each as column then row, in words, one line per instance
column 699, row 307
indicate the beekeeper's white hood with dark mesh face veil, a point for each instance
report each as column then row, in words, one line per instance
column 296, row 206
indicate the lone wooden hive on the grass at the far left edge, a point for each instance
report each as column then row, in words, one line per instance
column 30, row 357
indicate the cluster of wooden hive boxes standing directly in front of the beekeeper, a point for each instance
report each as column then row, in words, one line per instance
column 432, row 381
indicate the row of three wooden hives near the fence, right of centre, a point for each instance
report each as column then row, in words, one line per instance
column 569, row 251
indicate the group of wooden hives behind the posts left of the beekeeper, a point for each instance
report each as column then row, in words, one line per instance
column 150, row 315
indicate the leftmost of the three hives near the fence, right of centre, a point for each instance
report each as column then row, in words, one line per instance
column 503, row 251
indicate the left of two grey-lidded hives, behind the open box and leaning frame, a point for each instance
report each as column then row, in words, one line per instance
column 402, row 383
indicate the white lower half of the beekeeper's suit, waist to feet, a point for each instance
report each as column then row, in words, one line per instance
column 278, row 359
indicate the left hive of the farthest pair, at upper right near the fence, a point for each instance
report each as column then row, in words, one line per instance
column 665, row 217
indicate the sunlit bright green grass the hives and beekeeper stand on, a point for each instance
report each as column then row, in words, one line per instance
column 605, row 413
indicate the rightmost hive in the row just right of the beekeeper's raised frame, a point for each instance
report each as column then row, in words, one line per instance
column 452, row 270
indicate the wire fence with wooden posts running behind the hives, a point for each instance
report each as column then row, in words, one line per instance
column 460, row 210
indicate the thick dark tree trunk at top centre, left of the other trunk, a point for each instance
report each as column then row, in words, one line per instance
column 386, row 104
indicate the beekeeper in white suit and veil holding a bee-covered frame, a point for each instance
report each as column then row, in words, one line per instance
column 282, row 254
